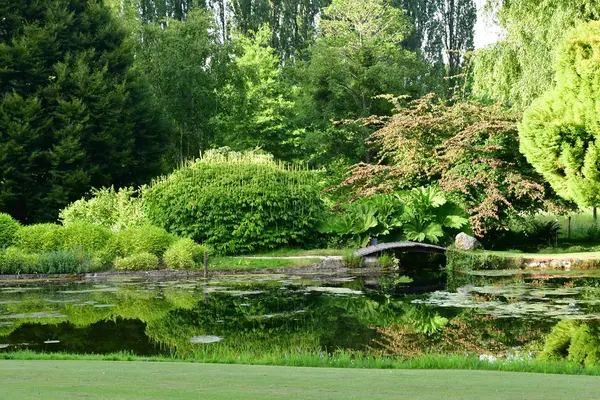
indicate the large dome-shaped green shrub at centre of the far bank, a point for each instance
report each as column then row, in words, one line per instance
column 237, row 204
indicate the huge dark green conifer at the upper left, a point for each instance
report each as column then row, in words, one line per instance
column 73, row 112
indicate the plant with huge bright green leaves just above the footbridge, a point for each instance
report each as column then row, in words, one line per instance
column 429, row 217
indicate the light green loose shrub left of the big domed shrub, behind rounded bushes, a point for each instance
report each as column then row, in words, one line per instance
column 107, row 207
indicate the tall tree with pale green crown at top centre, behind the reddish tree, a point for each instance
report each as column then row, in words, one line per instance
column 358, row 55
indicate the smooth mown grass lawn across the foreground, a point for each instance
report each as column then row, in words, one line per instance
column 146, row 380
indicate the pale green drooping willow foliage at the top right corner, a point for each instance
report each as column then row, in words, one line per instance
column 518, row 69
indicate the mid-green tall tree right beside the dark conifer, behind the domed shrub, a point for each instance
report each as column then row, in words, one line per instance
column 184, row 62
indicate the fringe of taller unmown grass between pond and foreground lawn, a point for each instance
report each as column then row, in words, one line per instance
column 323, row 360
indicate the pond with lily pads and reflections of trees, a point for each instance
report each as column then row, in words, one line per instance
column 500, row 313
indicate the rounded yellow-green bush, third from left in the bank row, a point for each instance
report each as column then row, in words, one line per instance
column 85, row 236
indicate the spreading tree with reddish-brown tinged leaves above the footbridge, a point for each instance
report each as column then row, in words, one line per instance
column 469, row 150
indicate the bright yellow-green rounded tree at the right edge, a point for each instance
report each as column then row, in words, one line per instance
column 560, row 135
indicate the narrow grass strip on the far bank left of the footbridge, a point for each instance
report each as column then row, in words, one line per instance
column 249, row 263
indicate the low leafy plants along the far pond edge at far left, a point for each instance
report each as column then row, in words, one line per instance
column 18, row 261
